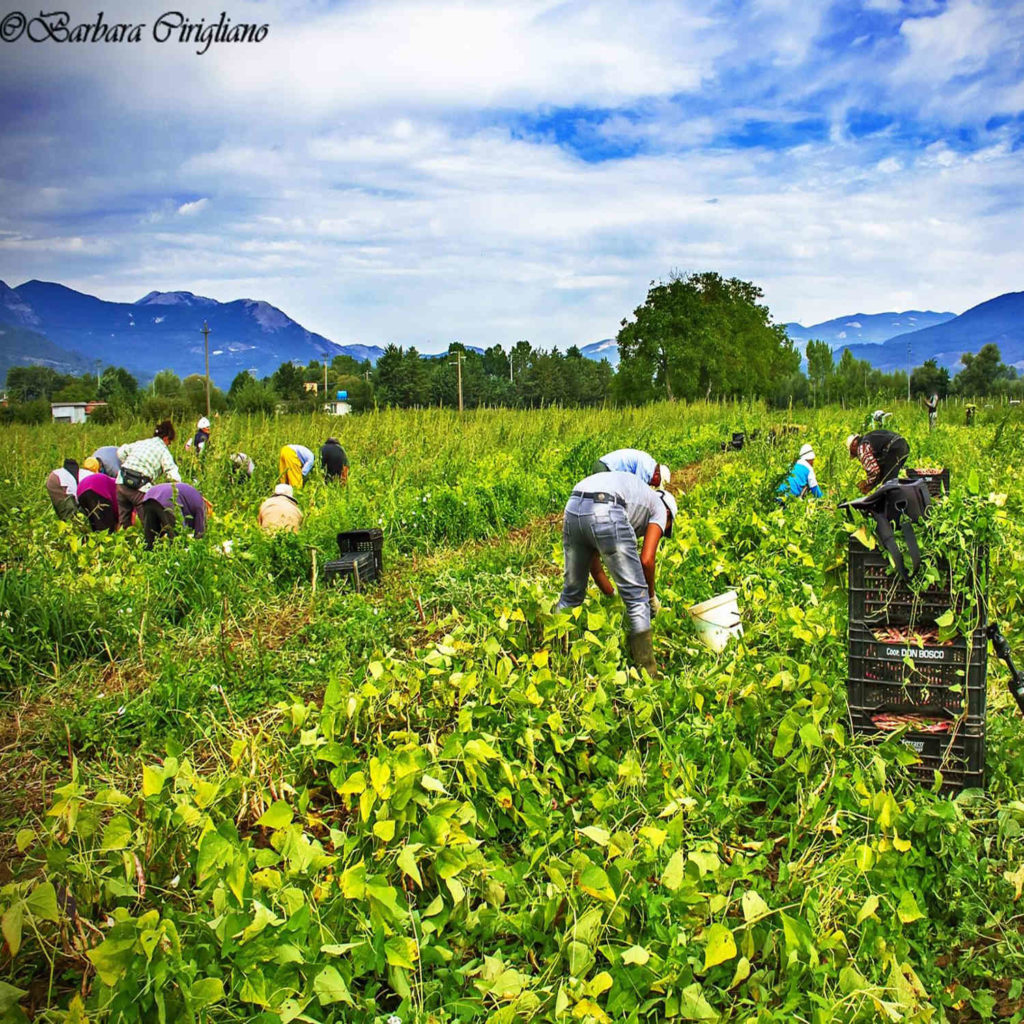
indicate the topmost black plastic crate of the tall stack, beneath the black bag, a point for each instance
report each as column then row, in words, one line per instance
column 879, row 595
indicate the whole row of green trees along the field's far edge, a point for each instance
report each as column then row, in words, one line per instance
column 696, row 337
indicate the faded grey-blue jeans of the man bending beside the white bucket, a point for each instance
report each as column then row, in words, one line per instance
column 604, row 528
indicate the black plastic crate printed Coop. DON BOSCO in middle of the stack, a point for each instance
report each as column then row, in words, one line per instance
column 905, row 676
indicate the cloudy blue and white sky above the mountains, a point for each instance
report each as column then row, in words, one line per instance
column 428, row 173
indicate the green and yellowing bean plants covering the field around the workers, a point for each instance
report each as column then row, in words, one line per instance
column 249, row 798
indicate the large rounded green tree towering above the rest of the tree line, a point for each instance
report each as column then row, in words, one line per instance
column 702, row 335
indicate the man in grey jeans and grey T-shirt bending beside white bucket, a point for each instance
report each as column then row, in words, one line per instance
column 606, row 515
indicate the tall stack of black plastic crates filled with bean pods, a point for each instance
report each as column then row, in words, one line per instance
column 907, row 677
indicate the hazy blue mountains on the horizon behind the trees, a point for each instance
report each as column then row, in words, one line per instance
column 53, row 325
